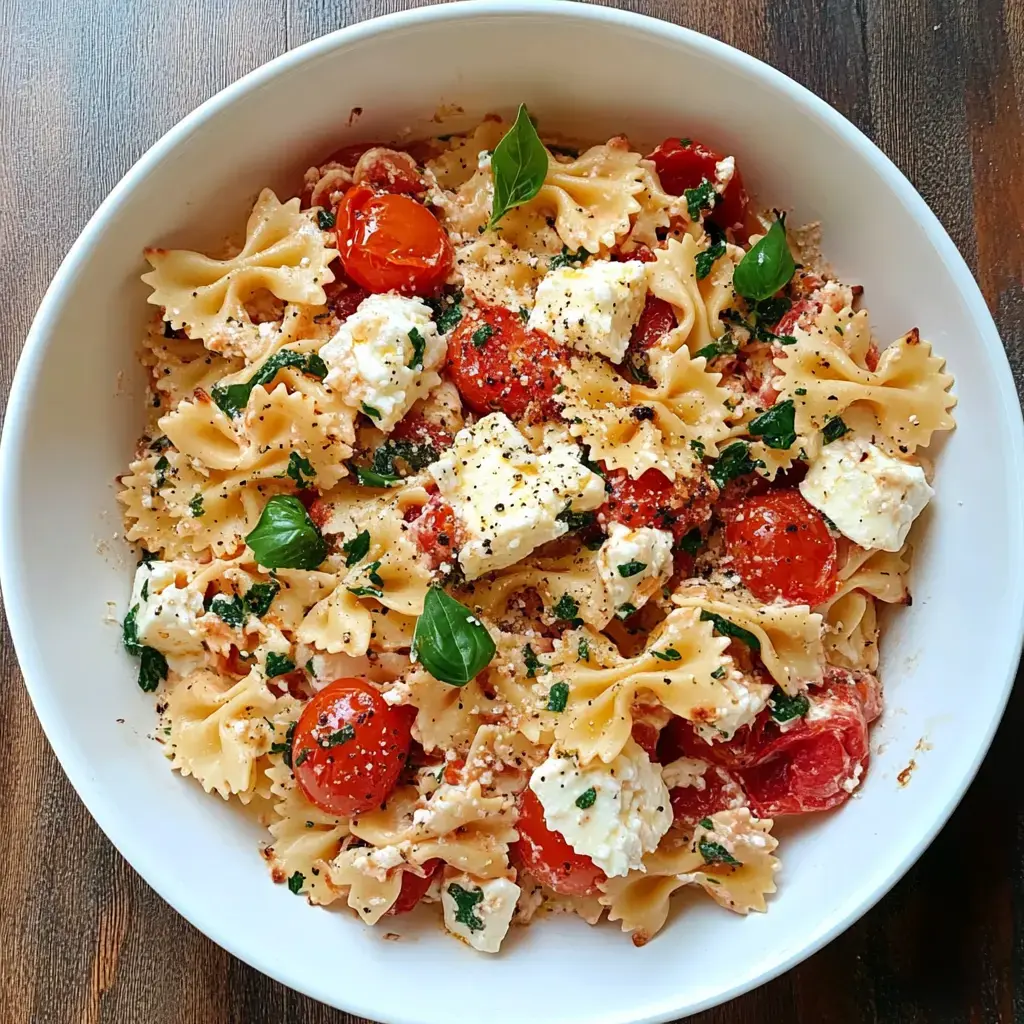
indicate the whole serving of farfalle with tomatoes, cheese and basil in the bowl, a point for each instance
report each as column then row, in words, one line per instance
column 513, row 518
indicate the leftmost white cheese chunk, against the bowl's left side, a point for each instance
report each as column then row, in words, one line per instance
column 167, row 619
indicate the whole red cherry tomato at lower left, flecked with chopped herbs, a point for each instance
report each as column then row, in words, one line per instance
column 350, row 747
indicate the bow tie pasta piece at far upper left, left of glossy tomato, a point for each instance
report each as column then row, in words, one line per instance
column 284, row 254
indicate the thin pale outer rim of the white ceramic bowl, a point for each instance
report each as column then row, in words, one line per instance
column 94, row 796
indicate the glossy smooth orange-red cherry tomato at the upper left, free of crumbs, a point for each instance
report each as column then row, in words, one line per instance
column 392, row 243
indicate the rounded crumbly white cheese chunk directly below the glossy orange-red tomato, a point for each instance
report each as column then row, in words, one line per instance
column 371, row 359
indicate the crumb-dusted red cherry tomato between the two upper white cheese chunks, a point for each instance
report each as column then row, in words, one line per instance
column 498, row 363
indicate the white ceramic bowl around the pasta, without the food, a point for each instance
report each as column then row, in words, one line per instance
column 949, row 661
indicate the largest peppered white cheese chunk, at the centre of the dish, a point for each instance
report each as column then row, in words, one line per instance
column 508, row 498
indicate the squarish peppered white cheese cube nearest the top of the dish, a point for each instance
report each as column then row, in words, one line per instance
column 594, row 309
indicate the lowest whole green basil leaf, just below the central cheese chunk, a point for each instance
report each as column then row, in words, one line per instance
column 450, row 642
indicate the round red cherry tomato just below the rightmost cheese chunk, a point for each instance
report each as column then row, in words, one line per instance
column 782, row 547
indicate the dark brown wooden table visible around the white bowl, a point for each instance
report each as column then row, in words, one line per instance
column 87, row 88
